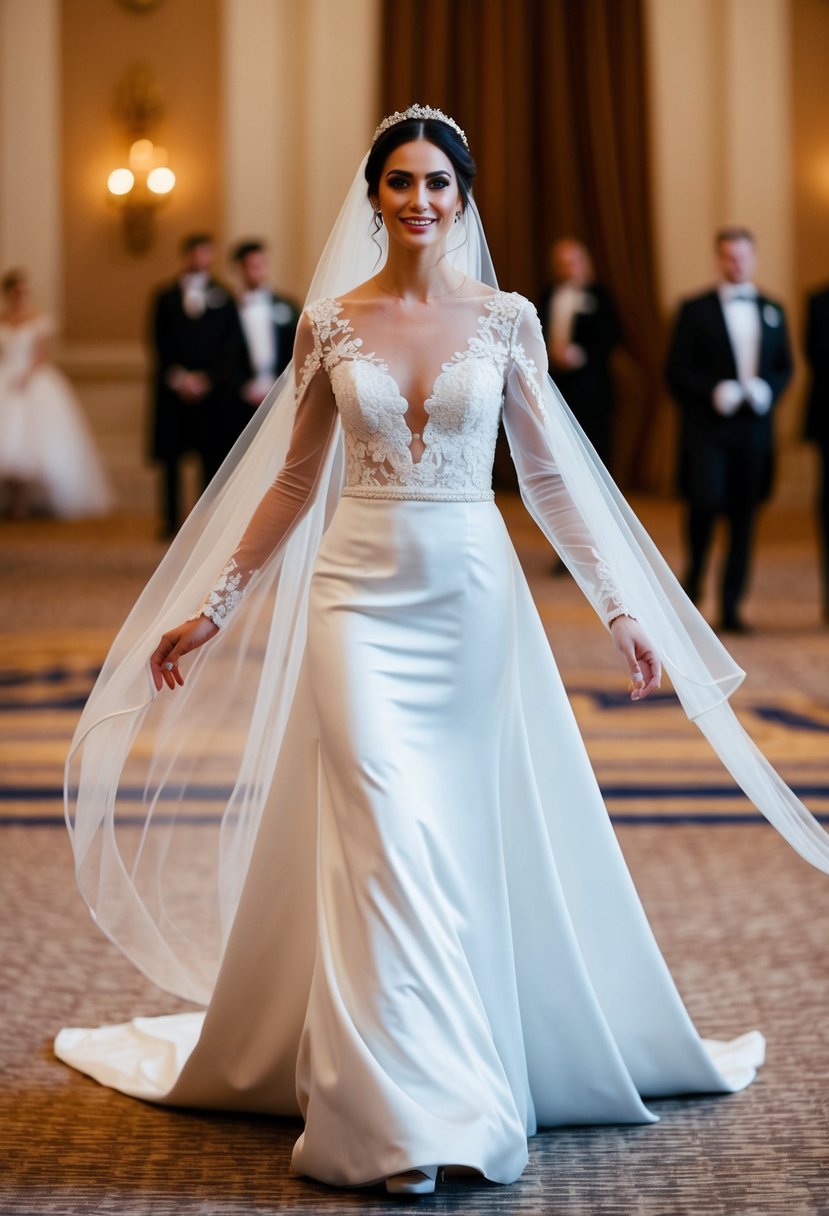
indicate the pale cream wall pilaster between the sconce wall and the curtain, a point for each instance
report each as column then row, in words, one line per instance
column 301, row 106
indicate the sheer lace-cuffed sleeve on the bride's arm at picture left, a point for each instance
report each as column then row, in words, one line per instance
column 294, row 491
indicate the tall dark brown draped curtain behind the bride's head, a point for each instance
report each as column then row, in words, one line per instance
column 552, row 95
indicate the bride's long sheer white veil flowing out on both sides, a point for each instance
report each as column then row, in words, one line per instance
column 165, row 793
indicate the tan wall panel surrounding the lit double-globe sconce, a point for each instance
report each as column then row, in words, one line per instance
column 105, row 286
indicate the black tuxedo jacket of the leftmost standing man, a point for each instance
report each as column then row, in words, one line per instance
column 212, row 344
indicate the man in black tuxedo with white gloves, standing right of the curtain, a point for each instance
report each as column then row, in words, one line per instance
column 729, row 364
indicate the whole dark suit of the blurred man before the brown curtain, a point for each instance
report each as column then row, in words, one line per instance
column 589, row 390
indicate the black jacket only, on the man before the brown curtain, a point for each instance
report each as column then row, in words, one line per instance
column 596, row 330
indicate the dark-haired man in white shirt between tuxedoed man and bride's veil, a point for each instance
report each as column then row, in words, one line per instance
column 269, row 323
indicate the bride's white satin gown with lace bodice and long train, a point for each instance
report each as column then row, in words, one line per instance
column 456, row 955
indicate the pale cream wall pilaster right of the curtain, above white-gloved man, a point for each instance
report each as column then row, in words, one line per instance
column 721, row 136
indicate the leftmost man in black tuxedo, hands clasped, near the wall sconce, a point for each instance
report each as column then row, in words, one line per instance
column 201, row 364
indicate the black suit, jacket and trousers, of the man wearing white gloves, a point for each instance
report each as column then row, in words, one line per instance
column 726, row 464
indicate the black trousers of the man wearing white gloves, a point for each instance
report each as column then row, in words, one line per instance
column 728, row 475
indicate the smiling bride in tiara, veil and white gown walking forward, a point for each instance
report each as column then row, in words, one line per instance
column 374, row 851
